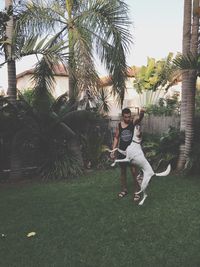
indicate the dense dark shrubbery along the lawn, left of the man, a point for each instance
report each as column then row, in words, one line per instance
column 45, row 136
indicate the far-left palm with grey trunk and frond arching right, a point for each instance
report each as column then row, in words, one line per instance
column 14, row 45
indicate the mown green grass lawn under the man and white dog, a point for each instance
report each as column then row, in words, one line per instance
column 83, row 223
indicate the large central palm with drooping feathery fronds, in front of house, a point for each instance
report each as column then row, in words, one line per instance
column 88, row 28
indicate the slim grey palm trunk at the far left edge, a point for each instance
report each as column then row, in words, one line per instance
column 12, row 92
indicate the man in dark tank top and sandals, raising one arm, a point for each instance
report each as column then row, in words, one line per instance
column 122, row 139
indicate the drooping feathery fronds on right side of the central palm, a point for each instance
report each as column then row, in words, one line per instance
column 108, row 22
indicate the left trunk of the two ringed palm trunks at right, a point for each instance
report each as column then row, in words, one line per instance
column 185, row 77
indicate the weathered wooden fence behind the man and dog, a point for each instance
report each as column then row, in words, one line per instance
column 153, row 124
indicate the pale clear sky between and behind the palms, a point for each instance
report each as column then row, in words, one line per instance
column 157, row 30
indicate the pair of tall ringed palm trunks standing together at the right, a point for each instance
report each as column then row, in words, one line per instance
column 189, row 76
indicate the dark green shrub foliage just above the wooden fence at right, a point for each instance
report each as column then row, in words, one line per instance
column 165, row 106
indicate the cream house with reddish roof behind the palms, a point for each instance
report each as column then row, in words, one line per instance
column 132, row 99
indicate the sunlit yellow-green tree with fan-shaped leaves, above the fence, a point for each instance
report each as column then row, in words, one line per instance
column 153, row 80
